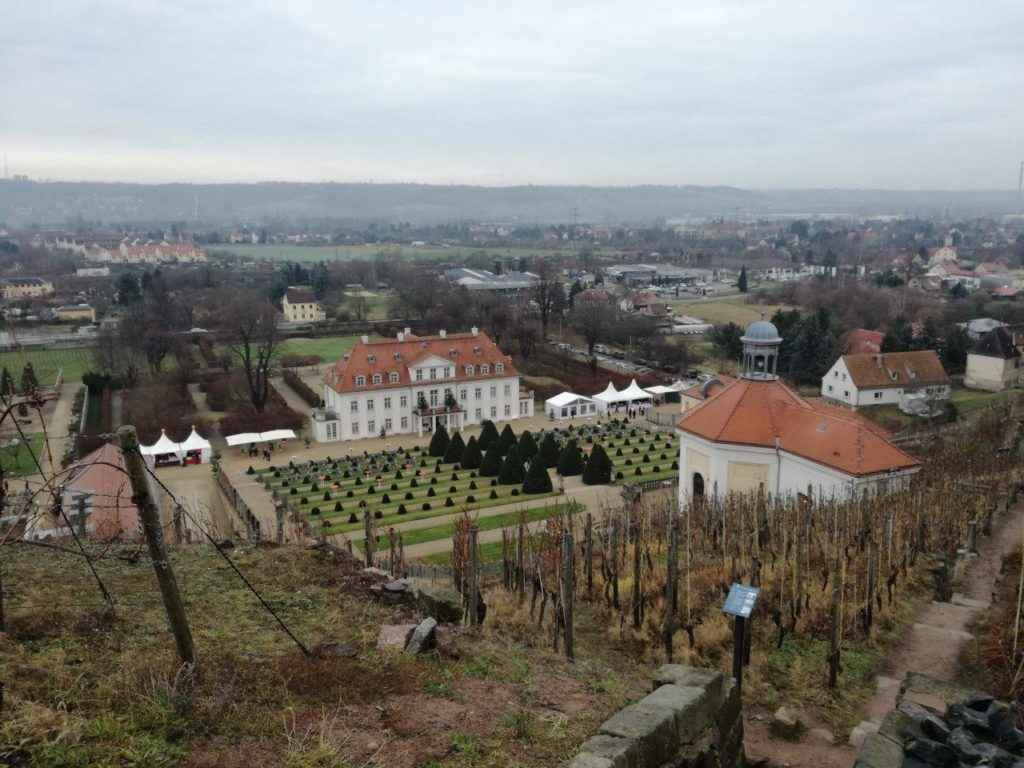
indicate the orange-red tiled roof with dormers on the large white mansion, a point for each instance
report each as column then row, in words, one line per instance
column 459, row 351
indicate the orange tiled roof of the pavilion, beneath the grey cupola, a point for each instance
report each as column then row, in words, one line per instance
column 769, row 414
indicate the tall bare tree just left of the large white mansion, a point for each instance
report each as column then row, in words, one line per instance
column 249, row 325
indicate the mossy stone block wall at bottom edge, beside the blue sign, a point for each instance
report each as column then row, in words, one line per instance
column 693, row 719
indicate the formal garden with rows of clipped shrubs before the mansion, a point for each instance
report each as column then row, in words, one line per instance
column 451, row 476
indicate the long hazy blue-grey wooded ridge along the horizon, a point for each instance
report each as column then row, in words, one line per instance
column 24, row 203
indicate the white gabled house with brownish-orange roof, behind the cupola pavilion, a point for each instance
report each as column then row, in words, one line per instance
column 909, row 380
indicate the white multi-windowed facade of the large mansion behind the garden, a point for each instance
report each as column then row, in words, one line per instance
column 362, row 415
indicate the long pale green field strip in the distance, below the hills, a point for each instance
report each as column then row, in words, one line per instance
column 385, row 251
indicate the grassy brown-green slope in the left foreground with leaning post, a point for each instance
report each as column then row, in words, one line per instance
column 84, row 689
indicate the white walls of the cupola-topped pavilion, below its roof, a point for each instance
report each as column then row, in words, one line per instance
column 708, row 470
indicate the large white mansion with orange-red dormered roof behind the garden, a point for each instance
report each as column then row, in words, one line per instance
column 411, row 385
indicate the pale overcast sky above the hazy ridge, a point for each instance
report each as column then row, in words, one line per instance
column 866, row 94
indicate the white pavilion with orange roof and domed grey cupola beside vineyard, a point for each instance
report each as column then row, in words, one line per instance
column 757, row 435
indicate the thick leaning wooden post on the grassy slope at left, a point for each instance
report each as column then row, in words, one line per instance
column 155, row 539
